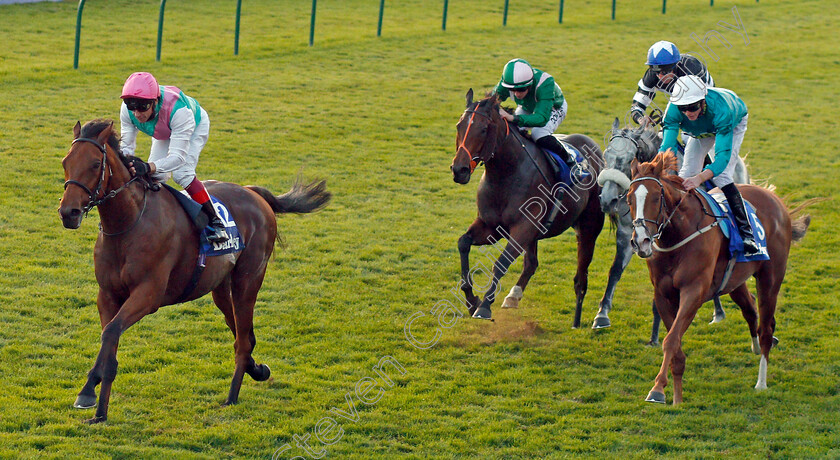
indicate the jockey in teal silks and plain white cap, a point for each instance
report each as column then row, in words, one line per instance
column 714, row 117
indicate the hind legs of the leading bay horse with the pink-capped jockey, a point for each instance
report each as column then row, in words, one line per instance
column 245, row 285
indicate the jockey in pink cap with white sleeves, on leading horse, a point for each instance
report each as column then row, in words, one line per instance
column 179, row 128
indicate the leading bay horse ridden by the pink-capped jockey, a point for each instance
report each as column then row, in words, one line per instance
column 147, row 248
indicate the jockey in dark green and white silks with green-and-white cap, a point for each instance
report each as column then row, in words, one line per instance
column 541, row 105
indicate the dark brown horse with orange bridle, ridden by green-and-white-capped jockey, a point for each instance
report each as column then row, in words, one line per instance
column 520, row 200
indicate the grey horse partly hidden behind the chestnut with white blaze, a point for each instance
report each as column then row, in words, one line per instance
column 623, row 146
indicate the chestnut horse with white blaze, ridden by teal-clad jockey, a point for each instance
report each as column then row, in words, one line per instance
column 687, row 266
